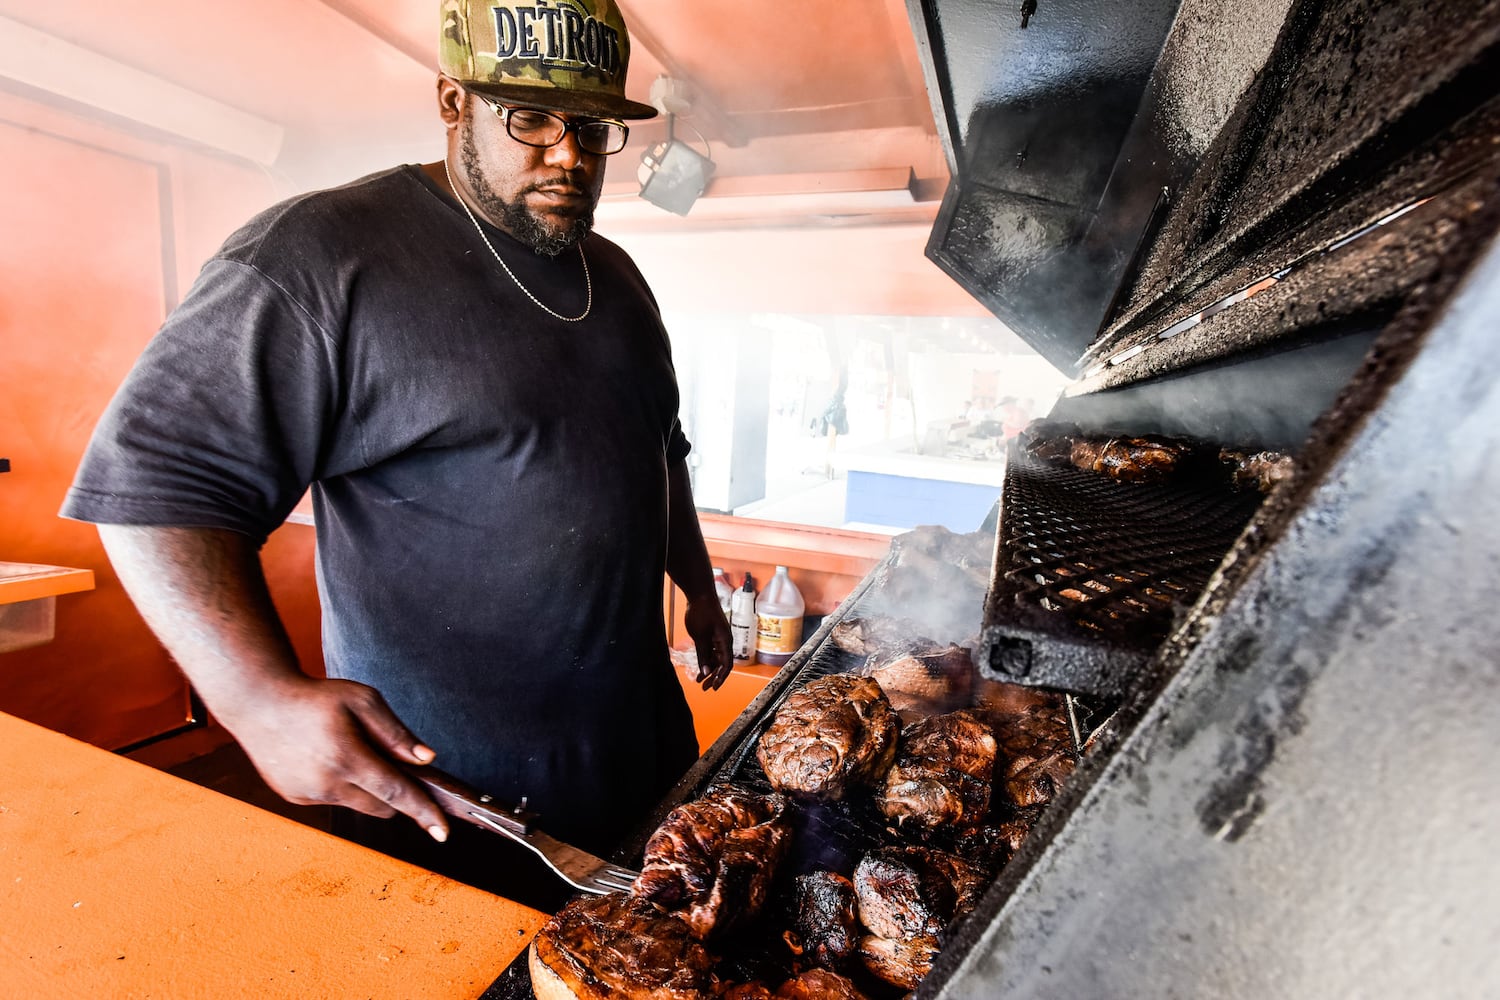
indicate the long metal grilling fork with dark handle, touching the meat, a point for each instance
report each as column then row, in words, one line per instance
column 572, row 866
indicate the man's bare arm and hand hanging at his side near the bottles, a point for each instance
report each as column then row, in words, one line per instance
column 689, row 567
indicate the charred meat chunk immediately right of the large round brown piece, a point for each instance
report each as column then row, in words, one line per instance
column 943, row 774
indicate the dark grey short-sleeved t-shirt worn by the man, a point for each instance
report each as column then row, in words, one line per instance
column 488, row 482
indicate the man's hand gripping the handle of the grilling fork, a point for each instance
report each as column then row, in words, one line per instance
column 329, row 743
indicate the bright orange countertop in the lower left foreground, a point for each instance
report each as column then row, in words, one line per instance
column 119, row 881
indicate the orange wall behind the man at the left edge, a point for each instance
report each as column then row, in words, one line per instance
column 101, row 235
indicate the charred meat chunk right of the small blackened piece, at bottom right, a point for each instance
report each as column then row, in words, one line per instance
column 908, row 897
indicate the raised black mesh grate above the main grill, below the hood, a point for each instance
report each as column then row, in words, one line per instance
column 1093, row 573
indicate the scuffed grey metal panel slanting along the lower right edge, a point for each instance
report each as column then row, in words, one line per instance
column 1310, row 807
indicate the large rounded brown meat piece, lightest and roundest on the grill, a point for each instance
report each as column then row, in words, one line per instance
column 836, row 734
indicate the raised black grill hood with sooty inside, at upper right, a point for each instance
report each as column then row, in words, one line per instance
column 1123, row 169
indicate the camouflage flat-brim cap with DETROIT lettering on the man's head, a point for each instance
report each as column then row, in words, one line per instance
column 556, row 55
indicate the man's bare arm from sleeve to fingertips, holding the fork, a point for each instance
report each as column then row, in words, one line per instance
column 203, row 593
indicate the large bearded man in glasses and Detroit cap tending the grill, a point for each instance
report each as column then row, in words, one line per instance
column 481, row 397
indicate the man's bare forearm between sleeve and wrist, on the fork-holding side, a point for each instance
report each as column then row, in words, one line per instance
column 205, row 596
